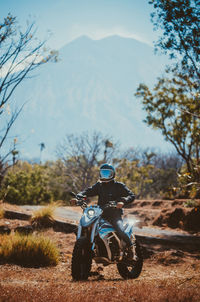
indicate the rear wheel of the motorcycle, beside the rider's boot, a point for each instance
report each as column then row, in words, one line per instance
column 131, row 271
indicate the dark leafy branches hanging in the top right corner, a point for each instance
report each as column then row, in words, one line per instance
column 179, row 21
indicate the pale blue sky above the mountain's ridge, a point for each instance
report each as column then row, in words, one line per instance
column 68, row 19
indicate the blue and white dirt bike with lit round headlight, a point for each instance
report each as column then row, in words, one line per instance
column 97, row 239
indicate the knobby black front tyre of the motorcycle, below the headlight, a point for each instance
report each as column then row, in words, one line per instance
column 81, row 259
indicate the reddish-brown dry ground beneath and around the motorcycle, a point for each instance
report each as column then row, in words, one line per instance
column 167, row 275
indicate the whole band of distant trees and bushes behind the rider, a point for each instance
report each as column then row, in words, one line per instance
column 148, row 173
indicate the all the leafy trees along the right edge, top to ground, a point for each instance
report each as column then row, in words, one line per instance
column 172, row 106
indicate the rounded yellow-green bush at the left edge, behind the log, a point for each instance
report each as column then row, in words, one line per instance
column 27, row 184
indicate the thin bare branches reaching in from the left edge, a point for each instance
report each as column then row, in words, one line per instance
column 20, row 55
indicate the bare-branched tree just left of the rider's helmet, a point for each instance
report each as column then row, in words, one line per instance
column 81, row 156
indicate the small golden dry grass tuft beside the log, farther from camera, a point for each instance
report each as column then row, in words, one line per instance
column 44, row 217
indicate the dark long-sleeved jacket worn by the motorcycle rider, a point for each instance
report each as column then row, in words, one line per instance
column 110, row 191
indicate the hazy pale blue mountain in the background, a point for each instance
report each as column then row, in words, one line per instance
column 91, row 88
